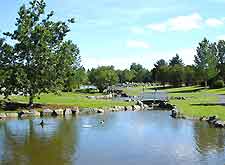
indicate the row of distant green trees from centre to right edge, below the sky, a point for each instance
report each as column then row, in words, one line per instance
column 208, row 70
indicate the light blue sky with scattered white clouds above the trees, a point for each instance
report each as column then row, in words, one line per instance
column 119, row 32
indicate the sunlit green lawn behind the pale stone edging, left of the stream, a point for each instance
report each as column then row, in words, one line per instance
column 71, row 99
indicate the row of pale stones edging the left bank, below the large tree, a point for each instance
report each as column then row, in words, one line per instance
column 70, row 111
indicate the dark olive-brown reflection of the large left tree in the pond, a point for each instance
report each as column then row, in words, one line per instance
column 25, row 142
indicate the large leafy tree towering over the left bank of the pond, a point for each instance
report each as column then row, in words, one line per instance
column 41, row 58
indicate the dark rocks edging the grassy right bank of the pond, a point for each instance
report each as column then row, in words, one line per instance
column 212, row 120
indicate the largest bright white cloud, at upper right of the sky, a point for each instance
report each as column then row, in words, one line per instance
column 179, row 23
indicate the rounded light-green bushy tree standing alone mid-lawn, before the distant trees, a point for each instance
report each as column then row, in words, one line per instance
column 103, row 77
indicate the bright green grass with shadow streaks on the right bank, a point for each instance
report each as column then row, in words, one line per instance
column 198, row 101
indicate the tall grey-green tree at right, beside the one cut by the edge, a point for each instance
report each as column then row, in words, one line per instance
column 206, row 60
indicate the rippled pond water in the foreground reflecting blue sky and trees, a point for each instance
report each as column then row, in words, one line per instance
column 126, row 138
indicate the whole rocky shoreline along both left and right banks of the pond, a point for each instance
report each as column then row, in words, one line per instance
column 139, row 106
